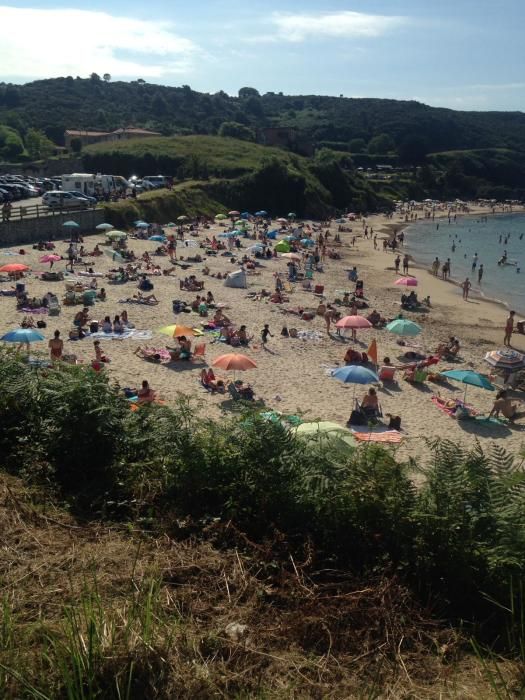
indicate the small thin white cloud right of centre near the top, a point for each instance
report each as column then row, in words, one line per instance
column 339, row 25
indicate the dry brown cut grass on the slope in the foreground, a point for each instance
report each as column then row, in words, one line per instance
column 199, row 619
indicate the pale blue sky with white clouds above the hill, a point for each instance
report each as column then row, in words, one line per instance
column 461, row 54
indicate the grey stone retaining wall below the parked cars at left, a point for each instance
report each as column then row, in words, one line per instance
column 48, row 227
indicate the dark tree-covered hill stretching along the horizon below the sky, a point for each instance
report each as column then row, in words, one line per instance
column 356, row 125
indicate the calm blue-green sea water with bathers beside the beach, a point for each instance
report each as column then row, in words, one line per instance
column 502, row 282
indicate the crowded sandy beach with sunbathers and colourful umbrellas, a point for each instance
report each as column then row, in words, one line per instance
column 324, row 321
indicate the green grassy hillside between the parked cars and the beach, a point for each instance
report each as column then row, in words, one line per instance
column 232, row 174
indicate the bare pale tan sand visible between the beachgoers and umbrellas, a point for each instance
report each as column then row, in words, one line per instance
column 291, row 373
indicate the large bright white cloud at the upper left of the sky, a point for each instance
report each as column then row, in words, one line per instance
column 38, row 43
